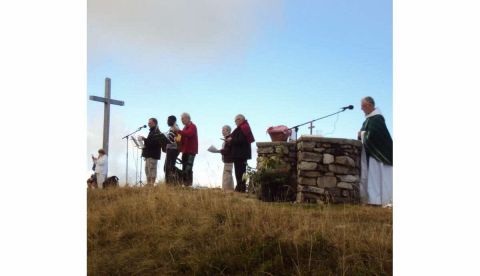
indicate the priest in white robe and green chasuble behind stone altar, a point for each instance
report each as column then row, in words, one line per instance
column 376, row 185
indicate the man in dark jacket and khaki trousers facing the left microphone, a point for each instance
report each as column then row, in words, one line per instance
column 151, row 151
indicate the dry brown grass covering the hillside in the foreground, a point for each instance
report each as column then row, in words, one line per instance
column 163, row 231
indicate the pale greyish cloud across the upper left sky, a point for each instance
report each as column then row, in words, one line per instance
column 150, row 31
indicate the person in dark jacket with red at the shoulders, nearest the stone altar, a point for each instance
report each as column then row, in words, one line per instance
column 240, row 139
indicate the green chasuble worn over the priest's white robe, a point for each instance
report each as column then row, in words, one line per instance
column 377, row 140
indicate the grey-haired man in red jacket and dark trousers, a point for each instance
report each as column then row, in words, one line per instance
column 189, row 147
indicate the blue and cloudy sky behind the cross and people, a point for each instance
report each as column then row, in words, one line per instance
column 276, row 62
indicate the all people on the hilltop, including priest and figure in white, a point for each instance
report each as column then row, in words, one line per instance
column 376, row 175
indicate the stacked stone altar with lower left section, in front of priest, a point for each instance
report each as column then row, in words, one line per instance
column 326, row 169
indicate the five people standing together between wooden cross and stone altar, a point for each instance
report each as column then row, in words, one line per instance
column 236, row 150
